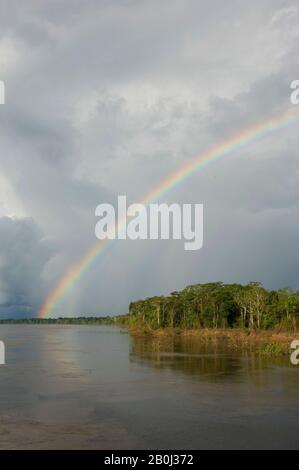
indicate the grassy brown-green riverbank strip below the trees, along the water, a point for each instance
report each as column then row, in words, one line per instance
column 264, row 342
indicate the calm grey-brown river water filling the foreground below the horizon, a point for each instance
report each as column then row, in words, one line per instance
column 95, row 387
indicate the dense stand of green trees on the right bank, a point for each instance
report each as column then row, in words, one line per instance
column 218, row 305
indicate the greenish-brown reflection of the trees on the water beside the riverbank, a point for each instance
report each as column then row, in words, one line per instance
column 201, row 360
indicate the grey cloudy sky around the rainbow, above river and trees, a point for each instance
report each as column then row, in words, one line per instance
column 107, row 98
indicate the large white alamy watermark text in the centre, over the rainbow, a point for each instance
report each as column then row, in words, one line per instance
column 152, row 222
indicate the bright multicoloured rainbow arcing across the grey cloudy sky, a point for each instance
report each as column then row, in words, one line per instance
column 214, row 154
